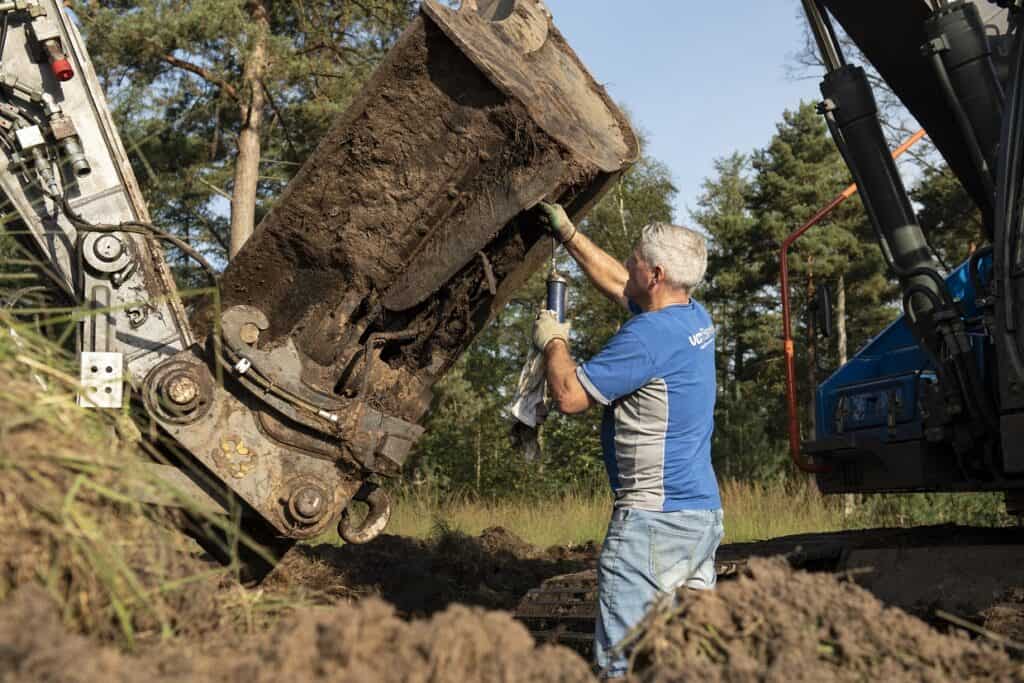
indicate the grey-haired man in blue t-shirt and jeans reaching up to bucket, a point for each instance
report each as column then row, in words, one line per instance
column 656, row 378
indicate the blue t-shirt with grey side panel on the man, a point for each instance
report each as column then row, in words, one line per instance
column 657, row 380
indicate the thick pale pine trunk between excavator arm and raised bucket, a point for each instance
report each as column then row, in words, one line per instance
column 253, row 100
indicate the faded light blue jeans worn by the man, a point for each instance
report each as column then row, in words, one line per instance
column 647, row 554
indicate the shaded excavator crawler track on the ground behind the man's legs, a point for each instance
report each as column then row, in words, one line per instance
column 564, row 610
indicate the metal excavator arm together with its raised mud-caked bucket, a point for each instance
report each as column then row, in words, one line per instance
column 400, row 238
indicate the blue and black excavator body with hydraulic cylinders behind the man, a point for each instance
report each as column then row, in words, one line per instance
column 935, row 403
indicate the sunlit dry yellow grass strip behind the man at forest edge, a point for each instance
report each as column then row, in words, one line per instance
column 753, row 511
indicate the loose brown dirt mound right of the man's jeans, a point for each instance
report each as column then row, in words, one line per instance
column 774, row 624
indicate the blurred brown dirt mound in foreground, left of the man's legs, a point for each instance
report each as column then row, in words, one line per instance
column 364, row 642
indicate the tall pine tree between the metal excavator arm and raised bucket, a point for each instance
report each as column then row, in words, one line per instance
column 222, row 102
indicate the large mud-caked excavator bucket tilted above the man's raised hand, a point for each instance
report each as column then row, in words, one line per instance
column 409, row 226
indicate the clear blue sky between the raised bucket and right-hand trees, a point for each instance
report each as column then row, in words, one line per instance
column 702, row 79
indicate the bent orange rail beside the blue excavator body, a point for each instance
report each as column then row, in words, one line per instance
column 788, row 347
